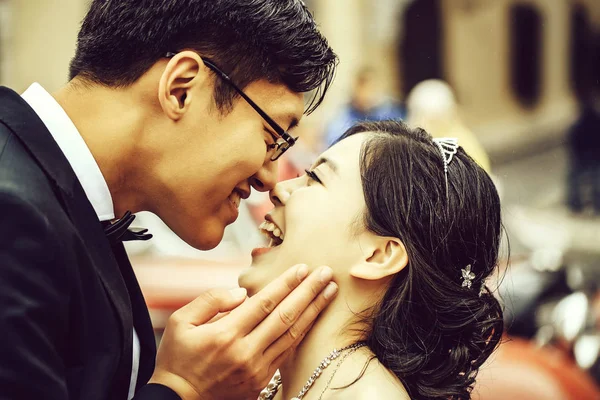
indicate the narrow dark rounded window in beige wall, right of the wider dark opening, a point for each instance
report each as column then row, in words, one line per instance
column 525, row 53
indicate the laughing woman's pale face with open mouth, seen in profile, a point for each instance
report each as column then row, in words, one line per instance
column 318, row 216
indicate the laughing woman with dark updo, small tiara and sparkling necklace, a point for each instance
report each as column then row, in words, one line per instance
column 410, row 246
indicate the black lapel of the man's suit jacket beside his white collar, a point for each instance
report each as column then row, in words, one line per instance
column 18, row 116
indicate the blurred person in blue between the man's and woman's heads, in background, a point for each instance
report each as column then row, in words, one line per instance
column 367, row 103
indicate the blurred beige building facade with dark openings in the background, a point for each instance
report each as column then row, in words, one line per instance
column 485, row 49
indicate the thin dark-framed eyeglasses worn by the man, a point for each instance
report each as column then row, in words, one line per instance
column 283, row 140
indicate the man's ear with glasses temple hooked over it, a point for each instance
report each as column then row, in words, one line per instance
column 183, row 71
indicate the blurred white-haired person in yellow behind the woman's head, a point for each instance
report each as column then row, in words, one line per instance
column 432, row 106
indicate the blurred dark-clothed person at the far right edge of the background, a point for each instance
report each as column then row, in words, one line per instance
column 584, row 156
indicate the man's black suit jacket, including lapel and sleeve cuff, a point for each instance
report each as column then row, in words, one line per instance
column 68, row 298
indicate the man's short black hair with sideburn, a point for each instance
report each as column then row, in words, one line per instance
column 276, row 40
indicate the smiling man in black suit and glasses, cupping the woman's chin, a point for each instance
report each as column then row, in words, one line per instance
column 178, row 107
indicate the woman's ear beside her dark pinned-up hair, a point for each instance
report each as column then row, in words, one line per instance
column 384, row 257
